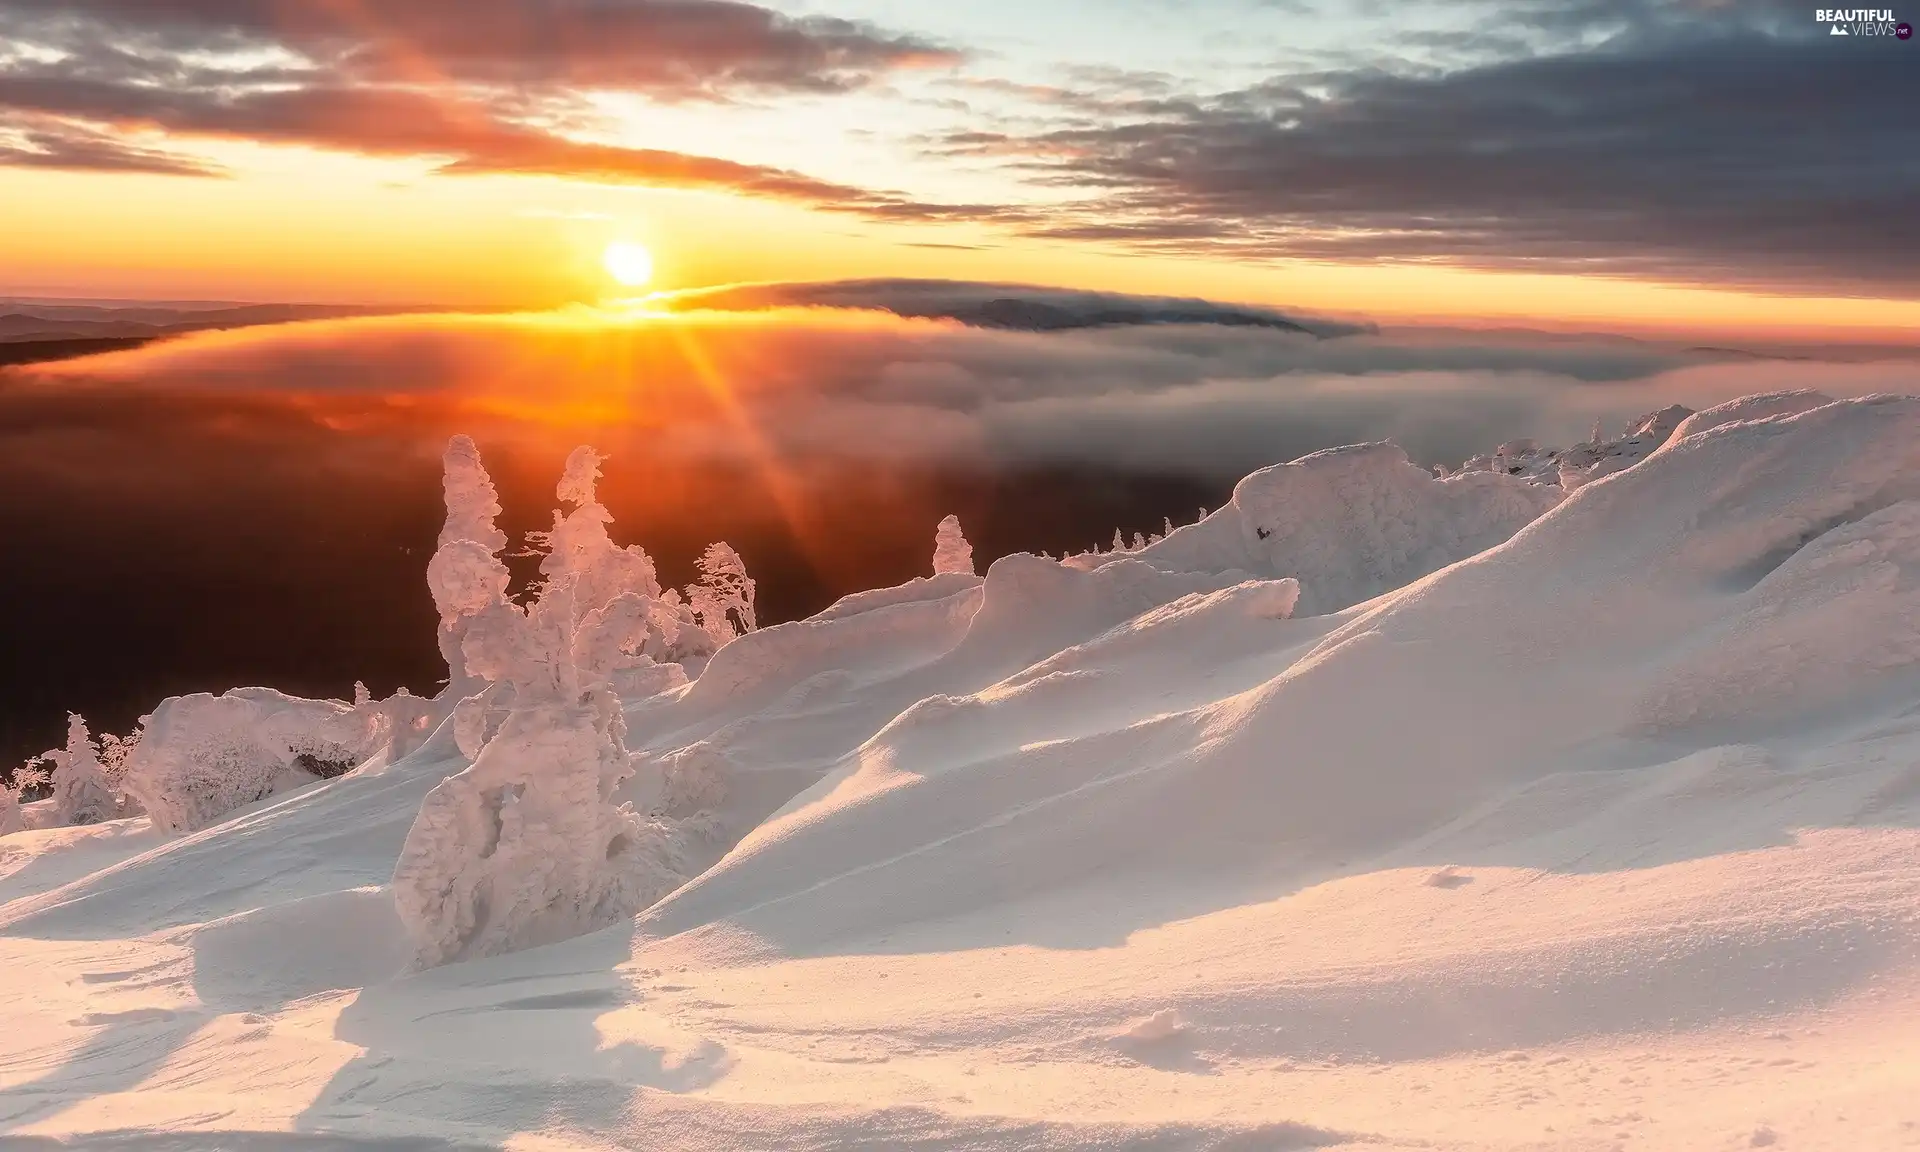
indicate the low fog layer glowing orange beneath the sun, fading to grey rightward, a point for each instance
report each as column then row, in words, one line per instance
column 792, row 389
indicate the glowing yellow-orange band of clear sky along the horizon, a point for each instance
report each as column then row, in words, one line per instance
column 304, row 226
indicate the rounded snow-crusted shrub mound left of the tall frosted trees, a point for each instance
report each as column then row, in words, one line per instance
column 206, row 756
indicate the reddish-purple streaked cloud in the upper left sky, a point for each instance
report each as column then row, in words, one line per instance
column 492, row 85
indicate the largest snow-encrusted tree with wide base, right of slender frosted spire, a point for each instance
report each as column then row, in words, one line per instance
column 527, row 846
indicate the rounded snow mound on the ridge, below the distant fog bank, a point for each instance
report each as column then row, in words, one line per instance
column 1353, row 523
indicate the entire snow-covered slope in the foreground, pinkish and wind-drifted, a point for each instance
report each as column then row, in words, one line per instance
column 1600, row 838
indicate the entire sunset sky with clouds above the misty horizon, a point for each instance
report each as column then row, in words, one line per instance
column 1621, row 164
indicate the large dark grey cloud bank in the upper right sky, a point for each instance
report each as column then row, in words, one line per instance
column 1689, row 143
